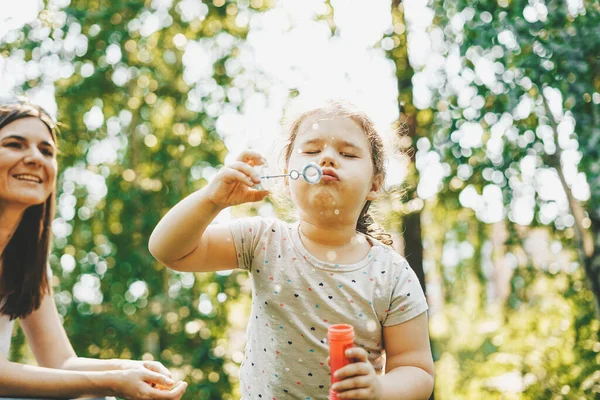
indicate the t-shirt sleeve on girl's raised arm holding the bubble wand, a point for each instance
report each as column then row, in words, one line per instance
column 246, row 233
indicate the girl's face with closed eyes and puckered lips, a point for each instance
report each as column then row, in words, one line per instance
column 341, row 148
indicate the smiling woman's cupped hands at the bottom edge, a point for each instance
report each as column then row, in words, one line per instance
column 145, row 384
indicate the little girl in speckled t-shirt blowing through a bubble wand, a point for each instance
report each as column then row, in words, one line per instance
column 328, row 267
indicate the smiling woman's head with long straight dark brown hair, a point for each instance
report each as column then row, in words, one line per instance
column 27, row 179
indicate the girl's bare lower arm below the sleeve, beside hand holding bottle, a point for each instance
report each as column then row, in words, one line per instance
column 409, row 366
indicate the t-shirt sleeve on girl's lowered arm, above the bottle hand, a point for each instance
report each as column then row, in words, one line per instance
column 407, row 300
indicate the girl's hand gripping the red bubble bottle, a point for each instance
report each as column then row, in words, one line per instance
column 358, row 379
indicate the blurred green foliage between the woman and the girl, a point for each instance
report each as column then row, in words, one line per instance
column 138, row 135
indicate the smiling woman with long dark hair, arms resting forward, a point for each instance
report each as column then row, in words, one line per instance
column 28, row 171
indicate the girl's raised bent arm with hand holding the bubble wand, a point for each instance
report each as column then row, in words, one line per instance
column 183, row 239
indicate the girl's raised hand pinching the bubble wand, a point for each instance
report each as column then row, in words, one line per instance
column 232, row 184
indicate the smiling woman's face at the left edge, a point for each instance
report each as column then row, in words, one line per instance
column 27, row 162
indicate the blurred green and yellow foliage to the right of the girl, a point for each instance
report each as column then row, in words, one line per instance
column 543, row 340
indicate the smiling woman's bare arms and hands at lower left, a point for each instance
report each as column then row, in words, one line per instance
column 54, row 353
